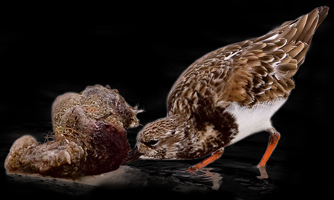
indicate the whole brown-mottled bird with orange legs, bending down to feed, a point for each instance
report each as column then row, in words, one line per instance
column 229, row 94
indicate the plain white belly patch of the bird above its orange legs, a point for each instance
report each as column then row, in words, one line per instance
column 252, row 120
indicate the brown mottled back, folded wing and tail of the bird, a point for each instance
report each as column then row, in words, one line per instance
column 247, row 72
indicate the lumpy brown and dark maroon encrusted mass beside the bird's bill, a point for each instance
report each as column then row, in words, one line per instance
column 89, row 136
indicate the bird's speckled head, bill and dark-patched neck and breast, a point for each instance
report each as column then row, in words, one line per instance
column 175, row 137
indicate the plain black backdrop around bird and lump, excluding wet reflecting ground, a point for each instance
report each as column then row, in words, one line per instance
column 141, row 50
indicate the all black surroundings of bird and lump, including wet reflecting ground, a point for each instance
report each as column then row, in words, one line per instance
column 142, row 58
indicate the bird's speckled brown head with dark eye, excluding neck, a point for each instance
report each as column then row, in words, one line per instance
column 166, row 138
